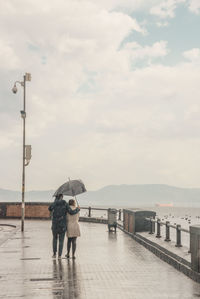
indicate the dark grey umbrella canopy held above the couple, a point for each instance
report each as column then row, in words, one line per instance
column 71, row 188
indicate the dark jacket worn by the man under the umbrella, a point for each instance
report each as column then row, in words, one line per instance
column 59, row 209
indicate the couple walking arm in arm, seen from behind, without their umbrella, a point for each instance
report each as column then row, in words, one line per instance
column 64, row 220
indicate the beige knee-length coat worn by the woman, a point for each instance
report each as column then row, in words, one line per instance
column 73, row 228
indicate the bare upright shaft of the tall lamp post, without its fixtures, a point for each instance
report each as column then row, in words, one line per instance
column 23, row 165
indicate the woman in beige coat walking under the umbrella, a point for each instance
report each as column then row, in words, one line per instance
column 73, row 229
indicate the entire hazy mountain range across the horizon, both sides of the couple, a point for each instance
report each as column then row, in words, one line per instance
column 119, row 195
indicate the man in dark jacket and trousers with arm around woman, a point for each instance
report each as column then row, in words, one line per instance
column 59, row 208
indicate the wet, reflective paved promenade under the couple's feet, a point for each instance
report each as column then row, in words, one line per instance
column 108, row 265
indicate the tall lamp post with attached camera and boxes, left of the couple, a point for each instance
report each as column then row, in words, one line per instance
column 26, row 149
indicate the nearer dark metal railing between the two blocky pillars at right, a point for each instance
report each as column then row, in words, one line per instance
column 158, row 223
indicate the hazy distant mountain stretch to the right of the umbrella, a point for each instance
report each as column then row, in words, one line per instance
column 143, row 195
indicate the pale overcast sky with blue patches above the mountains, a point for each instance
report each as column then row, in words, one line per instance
column 114, row 96
